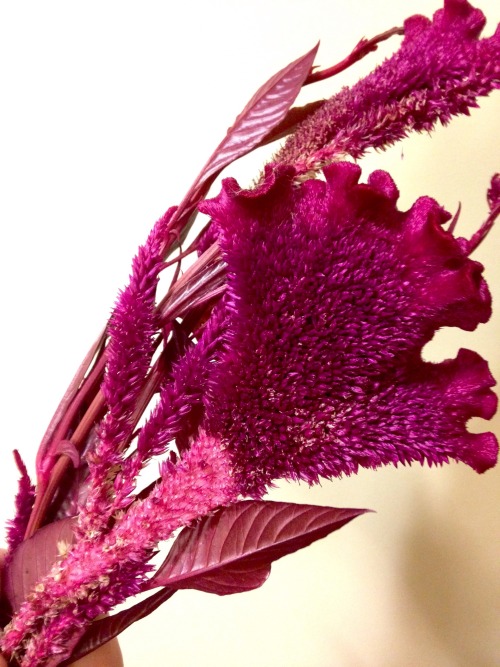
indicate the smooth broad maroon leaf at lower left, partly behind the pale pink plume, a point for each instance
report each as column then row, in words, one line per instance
column 34, row 558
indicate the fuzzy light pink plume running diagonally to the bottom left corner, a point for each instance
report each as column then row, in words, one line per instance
column 98, row 574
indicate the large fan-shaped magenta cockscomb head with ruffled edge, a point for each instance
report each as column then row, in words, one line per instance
column 332, row 294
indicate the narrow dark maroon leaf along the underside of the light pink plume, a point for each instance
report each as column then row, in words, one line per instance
column 104, row 629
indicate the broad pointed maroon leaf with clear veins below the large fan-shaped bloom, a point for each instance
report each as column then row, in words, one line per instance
column 232, row 550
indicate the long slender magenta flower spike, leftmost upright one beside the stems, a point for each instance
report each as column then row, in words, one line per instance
column 132, row 329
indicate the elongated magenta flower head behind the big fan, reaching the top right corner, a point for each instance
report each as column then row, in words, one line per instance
column 440, row 70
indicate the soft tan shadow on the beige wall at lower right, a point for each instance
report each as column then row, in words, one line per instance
column 452, row 573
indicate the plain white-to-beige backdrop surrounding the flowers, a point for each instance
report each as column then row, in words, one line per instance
column 108, row 111
